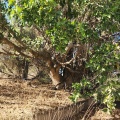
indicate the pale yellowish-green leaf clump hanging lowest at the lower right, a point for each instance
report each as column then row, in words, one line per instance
column 108, row 93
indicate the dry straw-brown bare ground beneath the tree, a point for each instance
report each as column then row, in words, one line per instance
column 21, row 100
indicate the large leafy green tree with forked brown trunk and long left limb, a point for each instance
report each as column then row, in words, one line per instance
column 73, row 37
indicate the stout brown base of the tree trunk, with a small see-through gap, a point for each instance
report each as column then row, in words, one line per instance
column 62, row 77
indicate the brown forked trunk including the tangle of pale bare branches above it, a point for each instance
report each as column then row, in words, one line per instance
column 63, row 74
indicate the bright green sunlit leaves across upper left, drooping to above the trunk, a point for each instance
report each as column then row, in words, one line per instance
column 50, row 16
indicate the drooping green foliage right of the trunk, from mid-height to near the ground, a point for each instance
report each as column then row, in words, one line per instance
column 101, row 63
